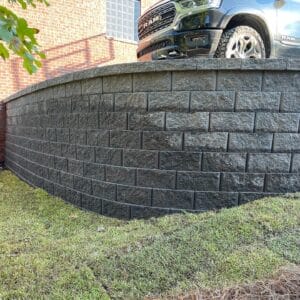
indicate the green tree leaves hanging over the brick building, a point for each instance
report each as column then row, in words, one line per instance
column 17, row 37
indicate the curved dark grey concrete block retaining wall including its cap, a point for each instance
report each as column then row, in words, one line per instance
column 146, row 139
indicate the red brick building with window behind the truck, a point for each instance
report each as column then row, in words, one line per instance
column 75, row 35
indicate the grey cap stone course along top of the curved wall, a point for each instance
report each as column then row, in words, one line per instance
column 191, row 64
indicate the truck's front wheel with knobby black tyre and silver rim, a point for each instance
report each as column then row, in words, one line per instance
column 241, row 42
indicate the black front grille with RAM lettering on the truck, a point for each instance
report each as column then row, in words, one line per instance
column 156, row 19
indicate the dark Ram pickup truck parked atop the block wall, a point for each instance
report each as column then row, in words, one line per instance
column 220, row 28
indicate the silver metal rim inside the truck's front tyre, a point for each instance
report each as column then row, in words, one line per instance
column 244, row 46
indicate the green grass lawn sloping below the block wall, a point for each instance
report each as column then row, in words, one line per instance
column 52, row 250
